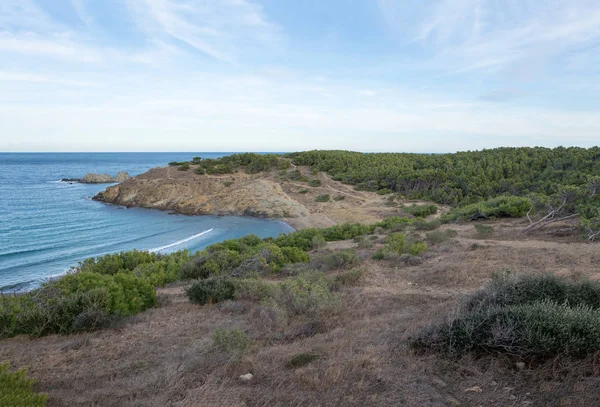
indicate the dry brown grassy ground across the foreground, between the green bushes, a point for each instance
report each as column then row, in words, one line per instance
column 166, row 356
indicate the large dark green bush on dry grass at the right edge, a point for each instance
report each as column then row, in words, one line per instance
column 538, row 317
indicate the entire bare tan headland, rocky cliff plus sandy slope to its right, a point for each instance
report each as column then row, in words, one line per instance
column 266, row 194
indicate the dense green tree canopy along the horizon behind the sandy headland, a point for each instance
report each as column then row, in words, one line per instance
column 462, row 178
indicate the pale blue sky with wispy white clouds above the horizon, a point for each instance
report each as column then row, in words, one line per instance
column 290, row 75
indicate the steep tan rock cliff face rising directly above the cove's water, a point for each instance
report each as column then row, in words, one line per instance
column 189, row 193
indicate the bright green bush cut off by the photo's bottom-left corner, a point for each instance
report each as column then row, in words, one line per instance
column 16, row 389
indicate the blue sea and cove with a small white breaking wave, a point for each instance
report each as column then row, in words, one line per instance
column 47, row 226
